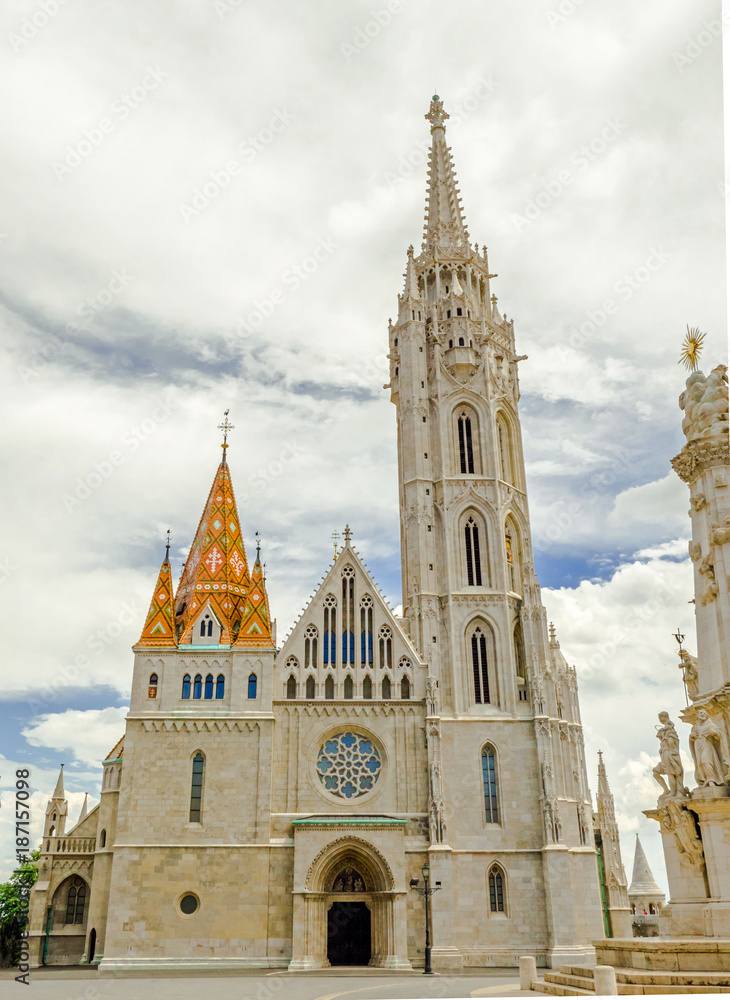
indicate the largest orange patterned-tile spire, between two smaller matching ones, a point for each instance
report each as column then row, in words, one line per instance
column 216, row 571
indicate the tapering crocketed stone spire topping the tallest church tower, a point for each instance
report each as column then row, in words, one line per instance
column 444, row 222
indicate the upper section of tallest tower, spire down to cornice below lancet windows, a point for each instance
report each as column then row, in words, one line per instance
column 465, row 534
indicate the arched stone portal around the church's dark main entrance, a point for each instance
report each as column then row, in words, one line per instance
column 350, row 911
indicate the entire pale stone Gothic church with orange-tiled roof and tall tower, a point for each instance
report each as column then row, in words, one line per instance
column 275, row 806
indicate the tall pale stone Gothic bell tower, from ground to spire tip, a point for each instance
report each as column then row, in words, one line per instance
column 508, row 788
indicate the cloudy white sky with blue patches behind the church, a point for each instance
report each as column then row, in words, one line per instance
column 207, row 204
